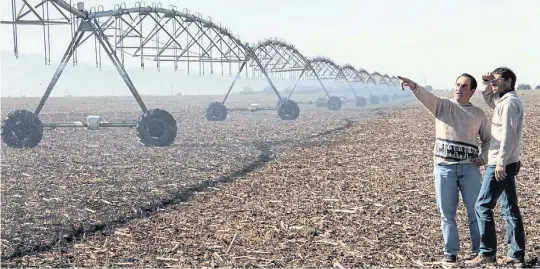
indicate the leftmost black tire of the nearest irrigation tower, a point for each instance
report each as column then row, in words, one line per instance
column 22, row 128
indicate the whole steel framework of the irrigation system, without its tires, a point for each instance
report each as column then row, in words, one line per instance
column 168, row 36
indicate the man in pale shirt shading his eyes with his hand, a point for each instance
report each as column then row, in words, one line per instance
column 503, row 165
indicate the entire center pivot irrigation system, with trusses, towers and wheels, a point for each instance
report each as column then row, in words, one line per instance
column 164, row 36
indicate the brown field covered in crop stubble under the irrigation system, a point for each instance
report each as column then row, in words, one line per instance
column 350, row 188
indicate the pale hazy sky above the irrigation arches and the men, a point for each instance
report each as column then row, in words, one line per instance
column 416, row 38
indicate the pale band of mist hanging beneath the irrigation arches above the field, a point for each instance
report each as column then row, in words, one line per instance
column 87, row 80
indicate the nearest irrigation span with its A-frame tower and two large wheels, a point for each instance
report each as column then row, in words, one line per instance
column 113, row 31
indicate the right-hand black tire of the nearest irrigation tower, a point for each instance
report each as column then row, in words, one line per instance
column 157, row 128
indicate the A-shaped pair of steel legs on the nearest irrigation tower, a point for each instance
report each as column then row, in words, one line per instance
column 93, row 27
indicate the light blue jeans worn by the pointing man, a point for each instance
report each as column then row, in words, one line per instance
column 449, row 180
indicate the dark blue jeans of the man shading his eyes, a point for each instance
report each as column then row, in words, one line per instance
column 504, row 191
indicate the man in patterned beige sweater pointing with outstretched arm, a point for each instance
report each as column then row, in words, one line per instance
column 456, row 156
